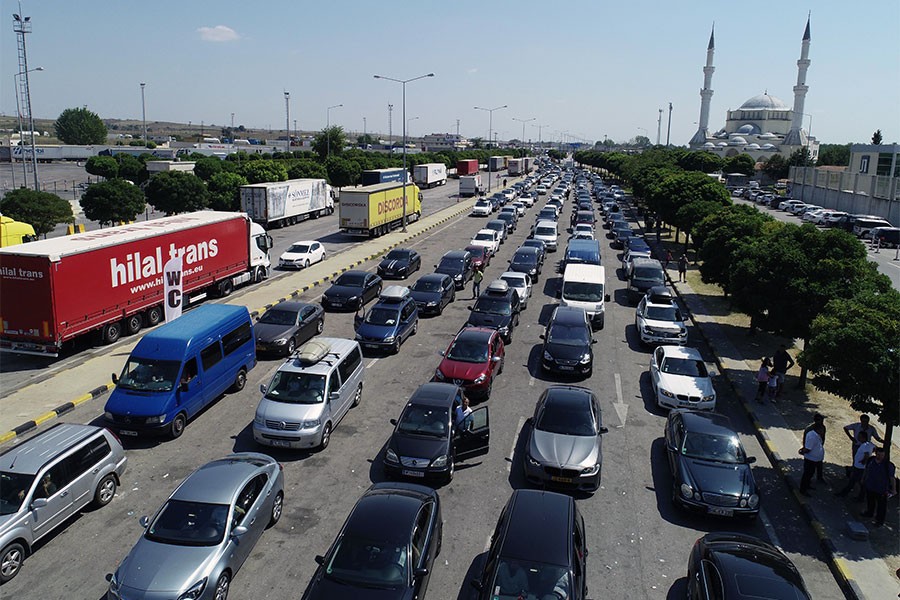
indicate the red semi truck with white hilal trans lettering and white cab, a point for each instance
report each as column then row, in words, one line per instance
column 110, row 281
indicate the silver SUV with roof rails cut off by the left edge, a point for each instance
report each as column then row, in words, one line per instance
column 47, row 479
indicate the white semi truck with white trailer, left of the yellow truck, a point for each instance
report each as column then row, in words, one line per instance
column 281, row 203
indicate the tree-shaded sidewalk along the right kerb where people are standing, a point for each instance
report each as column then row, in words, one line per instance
column 864, row 567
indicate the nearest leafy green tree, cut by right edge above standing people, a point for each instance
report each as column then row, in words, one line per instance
column 853, row 350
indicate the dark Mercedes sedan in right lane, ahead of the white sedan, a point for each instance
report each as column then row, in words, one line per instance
column 710, row 470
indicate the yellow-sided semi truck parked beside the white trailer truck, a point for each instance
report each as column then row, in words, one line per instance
column 374, row 210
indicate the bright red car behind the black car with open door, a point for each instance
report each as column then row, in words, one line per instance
column 472, row 360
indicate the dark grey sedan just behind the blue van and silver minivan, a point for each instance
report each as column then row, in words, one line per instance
column 287, row 325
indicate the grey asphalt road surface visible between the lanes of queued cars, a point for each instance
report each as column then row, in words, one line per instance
column 638, row 542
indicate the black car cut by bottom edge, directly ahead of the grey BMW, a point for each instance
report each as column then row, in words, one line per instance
column 517, row 567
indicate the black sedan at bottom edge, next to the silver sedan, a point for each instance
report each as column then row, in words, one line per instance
column 386, row 548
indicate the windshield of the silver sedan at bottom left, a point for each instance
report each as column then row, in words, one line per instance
column 185, row 523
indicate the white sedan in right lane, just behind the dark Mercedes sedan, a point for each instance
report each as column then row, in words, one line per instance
column 680, row 379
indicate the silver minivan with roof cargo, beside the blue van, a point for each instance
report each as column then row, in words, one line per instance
column 309, row 395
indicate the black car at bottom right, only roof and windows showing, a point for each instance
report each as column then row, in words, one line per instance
column 733, row 565
